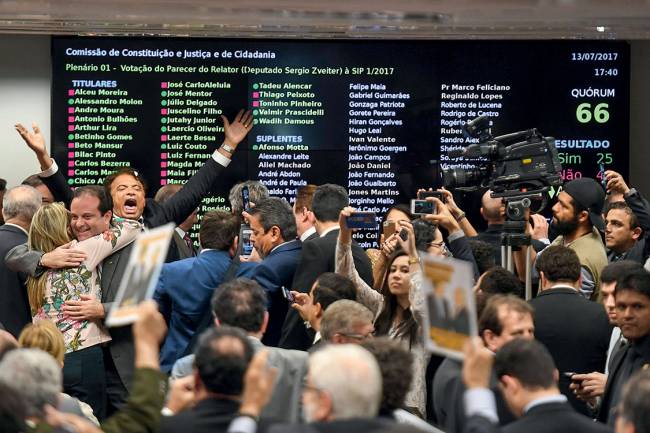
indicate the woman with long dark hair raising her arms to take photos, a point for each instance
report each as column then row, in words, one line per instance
column 399, row 304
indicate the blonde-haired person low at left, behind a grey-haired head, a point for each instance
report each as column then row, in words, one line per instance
column 45, row 336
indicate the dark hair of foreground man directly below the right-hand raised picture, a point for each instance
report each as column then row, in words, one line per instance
column 527, row 361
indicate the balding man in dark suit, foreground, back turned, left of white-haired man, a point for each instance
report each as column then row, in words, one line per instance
column 222, row 356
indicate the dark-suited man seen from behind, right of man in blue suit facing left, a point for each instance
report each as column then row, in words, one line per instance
column 318, row 257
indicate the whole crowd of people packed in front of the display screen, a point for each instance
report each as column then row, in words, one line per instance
column 310, row 332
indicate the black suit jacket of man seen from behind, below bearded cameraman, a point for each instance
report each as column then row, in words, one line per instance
column 575, row 331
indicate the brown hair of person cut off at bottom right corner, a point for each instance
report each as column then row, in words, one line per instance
column 635, row 402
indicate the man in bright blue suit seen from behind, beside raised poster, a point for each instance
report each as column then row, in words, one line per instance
column 185, row 287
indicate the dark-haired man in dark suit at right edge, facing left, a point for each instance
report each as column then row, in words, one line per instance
column 633, row 316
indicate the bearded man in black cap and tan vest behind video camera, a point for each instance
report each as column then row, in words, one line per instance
column 577, row 220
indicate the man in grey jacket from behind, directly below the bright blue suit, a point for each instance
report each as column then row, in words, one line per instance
column 242, row 303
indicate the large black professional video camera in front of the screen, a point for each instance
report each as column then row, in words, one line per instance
column 521, row 164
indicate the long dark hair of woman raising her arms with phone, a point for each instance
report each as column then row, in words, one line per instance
column 408, row 327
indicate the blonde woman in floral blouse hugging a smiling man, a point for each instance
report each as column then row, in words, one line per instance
column 83, row 371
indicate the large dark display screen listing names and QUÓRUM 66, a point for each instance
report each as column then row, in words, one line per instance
column 378, row 117
